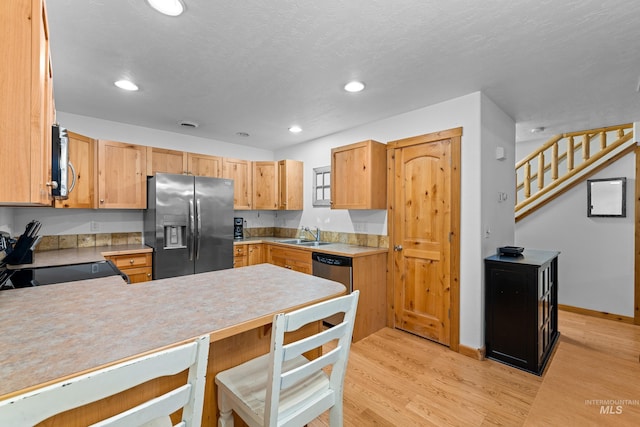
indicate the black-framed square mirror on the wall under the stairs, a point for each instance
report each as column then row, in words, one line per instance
column 607, row 197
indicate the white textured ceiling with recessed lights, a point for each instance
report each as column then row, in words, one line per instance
column 260, row 66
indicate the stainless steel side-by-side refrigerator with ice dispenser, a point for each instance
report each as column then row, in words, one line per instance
column 189, row 224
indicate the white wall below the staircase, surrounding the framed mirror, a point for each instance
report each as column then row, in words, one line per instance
column 596, row 262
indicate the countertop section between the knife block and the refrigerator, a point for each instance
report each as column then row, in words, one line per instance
column 80, row 255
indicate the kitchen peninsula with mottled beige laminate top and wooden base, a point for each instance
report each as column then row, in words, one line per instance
column 58, row 331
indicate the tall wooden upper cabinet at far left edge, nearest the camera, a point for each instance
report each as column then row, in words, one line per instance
column 27, row 109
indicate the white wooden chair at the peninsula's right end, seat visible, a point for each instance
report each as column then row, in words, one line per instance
column 283, row 388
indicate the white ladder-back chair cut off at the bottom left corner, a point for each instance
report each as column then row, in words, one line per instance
column 37, row 405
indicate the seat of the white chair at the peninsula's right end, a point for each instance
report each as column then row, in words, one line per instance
column 247, row 384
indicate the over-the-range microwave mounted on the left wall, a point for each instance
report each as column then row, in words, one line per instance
column 60, row 164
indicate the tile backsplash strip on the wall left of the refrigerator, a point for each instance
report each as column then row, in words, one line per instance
column 69, row 241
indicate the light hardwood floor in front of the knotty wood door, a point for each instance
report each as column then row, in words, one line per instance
column 397, row 379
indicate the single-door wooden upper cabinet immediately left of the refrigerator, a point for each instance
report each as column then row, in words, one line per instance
column 122, row 178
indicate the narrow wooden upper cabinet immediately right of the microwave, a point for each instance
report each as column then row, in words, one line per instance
column 82, row 157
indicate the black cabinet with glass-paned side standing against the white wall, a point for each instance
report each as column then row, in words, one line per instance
column 521, row 310
